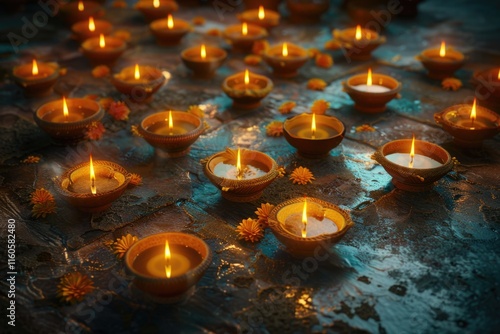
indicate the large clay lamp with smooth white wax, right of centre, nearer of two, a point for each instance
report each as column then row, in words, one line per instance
column 413, row 165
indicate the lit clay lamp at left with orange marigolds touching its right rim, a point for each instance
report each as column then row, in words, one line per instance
column 67, row 120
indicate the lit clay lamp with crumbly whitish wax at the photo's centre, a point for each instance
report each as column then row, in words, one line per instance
column 241, row 175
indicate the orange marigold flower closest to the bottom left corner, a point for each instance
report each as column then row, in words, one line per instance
column 74, row 286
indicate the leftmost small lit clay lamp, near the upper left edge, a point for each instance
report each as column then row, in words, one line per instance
column 36, row 78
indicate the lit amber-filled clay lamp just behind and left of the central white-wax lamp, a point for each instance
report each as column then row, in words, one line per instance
column 171, row 131
